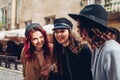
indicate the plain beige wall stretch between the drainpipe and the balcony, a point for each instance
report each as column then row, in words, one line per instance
column 36, row 10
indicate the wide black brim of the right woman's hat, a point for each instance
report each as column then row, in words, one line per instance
column 90, row 20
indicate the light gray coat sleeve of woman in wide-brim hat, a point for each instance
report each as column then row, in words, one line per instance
column 112, row 65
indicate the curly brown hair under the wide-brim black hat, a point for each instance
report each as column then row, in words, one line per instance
column 98, row 36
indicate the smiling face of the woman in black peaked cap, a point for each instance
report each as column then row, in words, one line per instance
column 61, row 35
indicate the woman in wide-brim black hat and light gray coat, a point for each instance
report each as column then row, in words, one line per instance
column 92, row 25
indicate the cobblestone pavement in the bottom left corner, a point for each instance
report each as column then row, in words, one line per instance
column 11, row 74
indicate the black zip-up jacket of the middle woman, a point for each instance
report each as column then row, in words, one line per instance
column 77, row 66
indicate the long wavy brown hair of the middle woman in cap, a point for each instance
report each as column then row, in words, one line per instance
column 58, row 51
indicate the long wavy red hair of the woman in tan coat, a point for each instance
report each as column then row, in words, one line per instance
column 29, row 48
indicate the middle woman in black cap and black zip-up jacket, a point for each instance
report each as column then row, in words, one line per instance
column 72, row 57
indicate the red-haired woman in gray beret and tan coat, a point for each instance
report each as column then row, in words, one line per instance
column 36, row 54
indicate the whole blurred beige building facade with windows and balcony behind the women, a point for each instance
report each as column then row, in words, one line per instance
column 17, row 14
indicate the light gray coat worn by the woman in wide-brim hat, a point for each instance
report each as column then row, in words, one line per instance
column 106, row 64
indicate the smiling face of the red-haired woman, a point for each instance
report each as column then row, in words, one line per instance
column 37, row 40
